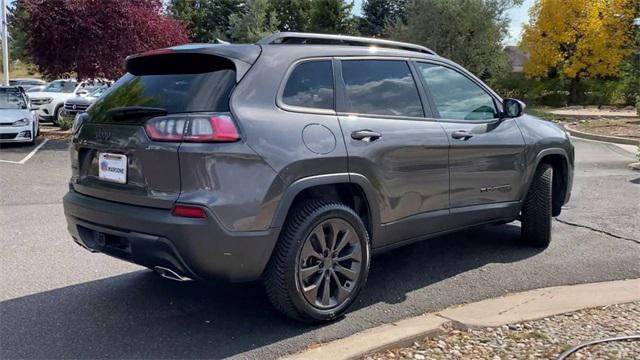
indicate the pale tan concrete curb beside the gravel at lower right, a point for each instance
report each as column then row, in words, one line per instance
column 524, row 306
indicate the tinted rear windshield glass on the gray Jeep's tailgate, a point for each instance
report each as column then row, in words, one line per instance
column 175, row 93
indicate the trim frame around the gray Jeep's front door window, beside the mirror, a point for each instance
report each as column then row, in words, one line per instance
column 497, row 101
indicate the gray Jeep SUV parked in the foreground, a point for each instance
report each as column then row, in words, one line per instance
column 295, row 159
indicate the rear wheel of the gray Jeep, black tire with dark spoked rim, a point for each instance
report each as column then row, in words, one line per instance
column 289, row 269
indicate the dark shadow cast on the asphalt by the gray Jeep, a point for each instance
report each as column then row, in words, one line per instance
column 140, row 315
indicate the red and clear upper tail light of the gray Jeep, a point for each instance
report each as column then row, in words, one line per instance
column 193, row 128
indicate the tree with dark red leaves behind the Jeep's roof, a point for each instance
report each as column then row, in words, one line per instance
column 91, row 38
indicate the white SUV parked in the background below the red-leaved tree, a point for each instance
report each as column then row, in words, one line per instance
column 50, row 101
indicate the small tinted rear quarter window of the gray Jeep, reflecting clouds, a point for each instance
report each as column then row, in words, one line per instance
column 310, row 85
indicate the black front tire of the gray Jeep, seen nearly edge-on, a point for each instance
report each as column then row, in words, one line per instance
column 536, row 211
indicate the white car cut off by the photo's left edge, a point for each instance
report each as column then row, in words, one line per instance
column 18, row 122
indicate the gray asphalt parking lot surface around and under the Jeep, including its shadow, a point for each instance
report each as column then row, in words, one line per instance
column 58, row 300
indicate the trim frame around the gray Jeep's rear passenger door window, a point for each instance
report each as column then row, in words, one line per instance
column 341, row 92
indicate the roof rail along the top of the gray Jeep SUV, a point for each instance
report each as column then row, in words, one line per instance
column 326, row 39
